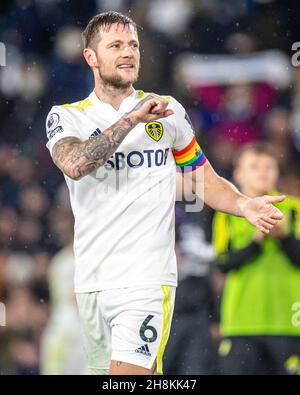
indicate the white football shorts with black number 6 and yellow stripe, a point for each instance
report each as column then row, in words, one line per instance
column 126, row 324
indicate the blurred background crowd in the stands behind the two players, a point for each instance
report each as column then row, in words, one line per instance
column 227, row 62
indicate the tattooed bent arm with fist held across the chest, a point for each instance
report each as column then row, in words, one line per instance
column 77, row 158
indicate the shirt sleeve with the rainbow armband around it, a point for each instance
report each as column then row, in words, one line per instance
column 187, row 152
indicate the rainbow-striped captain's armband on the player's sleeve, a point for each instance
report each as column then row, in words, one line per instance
column 189, row 158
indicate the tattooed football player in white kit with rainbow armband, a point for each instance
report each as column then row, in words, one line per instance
column 119, row 149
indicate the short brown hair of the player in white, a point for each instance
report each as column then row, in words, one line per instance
column 104, row 21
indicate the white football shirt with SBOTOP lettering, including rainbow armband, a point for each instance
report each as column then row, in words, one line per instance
column 124, row 210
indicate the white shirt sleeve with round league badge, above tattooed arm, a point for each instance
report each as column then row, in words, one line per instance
column 59, row 124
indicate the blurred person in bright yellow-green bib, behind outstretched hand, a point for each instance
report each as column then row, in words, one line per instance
column 261, row 332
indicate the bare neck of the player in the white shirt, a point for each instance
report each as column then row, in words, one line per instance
column 112, row 95
